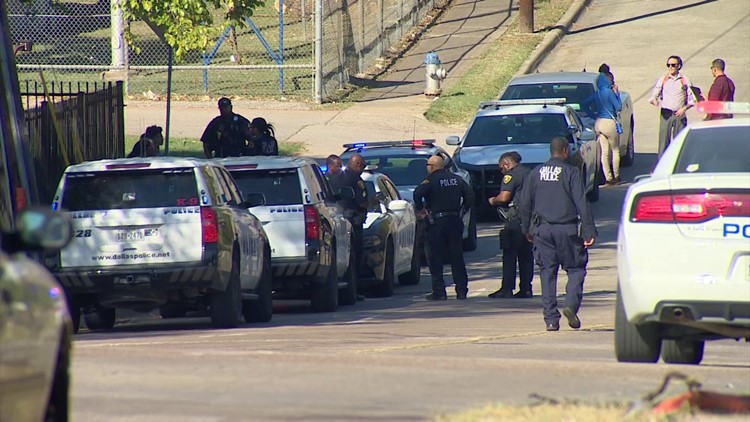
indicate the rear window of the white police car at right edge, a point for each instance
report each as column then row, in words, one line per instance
column 715, row 150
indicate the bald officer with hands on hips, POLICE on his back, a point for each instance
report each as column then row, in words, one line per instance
column 444, row 198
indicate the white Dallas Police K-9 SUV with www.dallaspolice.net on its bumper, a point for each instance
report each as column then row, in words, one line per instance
column 161, row 232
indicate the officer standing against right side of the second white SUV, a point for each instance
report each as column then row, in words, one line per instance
column 355, row 210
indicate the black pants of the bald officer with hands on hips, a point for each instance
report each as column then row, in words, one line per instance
column 445, row 238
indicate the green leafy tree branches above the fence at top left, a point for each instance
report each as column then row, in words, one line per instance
column 187, row 25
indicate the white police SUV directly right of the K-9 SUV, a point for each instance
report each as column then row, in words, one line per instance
column 311, row 252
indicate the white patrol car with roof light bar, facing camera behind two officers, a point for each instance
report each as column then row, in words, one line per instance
column 527, row 127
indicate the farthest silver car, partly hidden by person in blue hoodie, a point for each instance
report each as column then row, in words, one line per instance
column 575, row 87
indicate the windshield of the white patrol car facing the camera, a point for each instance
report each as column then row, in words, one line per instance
column 516, row 129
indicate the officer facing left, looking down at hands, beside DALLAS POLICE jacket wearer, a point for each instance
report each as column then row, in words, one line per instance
column 514, row 244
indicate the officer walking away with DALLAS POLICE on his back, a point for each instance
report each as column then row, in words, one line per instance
column 552, row 207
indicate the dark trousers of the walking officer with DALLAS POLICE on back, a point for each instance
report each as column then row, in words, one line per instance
column 558, row 245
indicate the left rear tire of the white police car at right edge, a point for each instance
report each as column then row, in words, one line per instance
column 635, row 343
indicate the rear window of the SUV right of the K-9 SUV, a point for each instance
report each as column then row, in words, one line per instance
column 280, row 186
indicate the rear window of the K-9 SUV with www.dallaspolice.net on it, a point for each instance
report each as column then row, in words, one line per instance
column 130, row 189
